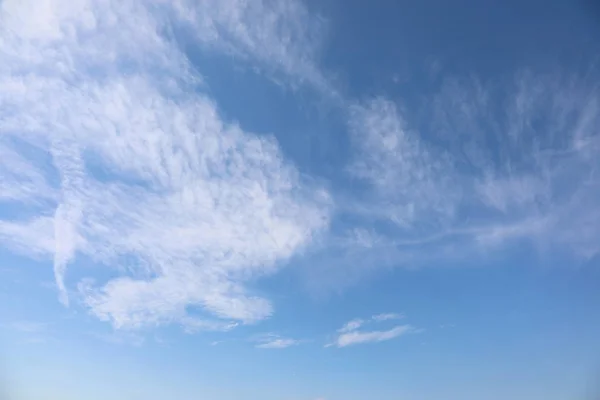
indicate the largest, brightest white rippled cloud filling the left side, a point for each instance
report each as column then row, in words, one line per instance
column 144, row 176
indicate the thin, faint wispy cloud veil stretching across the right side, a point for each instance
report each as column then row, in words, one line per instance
column 487, row 166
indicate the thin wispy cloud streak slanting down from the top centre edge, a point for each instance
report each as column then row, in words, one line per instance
column 280, row 35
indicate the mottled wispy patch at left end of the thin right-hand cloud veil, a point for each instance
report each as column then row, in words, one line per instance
column 410, row 180
